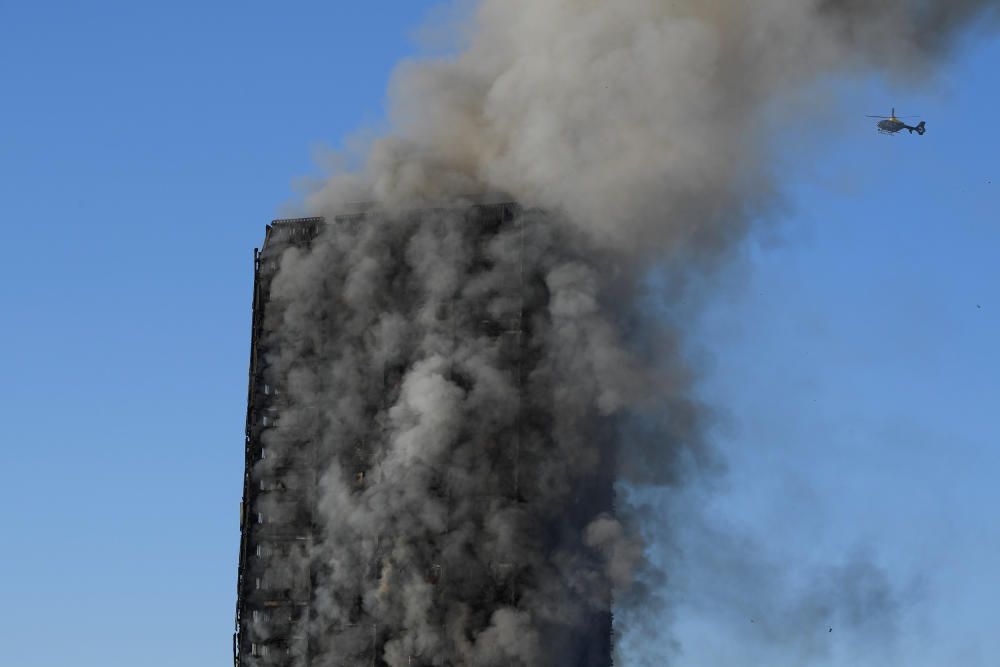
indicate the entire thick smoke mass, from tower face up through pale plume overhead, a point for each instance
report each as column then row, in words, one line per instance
column 425, row 356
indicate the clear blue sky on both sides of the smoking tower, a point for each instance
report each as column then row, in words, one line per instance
column 851, row 353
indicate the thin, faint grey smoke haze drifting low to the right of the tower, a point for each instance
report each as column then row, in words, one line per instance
column 771, row 608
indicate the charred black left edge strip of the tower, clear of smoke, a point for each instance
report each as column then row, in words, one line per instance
column 276, row 526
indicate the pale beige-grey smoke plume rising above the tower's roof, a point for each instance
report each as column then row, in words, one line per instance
column 640, row 120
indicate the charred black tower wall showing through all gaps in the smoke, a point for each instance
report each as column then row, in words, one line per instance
column 281, row 572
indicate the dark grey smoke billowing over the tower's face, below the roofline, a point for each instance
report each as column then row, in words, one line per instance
column 462, row 387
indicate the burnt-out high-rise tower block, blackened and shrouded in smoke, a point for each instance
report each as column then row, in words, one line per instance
column 414, row 506
